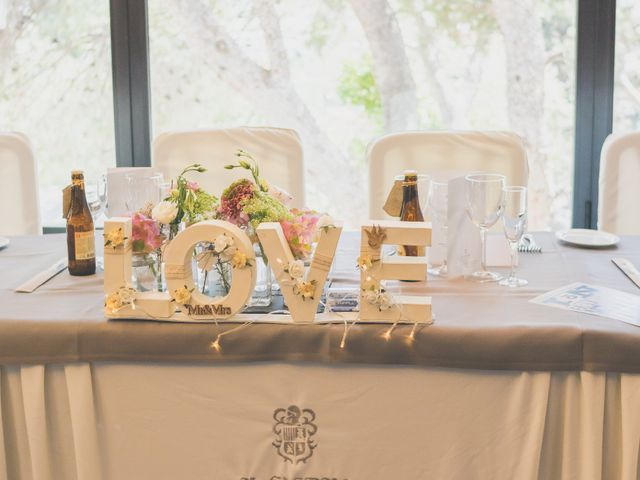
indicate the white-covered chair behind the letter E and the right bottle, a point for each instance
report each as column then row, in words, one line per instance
column 442, row 151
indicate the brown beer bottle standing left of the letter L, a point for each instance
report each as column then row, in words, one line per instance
column 80, row 233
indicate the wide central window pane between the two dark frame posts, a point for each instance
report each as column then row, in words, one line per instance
column 342, row 72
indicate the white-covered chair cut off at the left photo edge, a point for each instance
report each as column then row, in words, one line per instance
column 18, row 186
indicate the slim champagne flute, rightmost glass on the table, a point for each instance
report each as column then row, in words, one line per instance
column 514, row 220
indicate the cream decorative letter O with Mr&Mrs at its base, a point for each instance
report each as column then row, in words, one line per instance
column 178, row 260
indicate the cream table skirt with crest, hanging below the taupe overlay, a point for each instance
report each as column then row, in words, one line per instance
column 158, row 421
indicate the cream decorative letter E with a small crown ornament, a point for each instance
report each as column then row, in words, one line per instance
column 375, row 303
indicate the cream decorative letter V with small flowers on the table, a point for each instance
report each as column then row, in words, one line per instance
column 302, row 293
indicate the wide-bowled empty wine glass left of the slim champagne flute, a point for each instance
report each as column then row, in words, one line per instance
column 484, row 197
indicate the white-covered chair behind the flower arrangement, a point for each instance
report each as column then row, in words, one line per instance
column 278, row 152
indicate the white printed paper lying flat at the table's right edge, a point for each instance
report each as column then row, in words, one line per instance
column 594, row 300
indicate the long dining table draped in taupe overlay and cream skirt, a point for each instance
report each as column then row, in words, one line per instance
column 497, row 387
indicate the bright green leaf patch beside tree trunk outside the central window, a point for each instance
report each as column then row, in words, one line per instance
column 358, row 87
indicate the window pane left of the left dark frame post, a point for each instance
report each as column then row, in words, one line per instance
column 55, row 86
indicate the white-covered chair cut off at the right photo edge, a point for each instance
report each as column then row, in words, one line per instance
column 619, row 195
